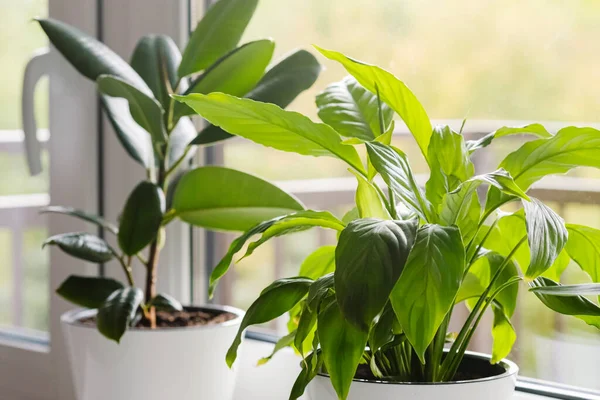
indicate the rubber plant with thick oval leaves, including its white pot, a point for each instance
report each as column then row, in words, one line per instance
column 165, row 338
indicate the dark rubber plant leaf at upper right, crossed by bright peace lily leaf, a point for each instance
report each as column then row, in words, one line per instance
column 280, row 86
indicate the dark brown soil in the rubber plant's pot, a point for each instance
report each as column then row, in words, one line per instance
column 190, row 316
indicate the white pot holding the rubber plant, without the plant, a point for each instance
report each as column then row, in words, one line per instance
column 168, row 363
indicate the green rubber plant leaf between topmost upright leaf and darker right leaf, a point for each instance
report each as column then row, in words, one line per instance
column 235, row 74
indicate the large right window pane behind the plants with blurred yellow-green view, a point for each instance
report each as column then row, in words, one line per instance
column 493, row 62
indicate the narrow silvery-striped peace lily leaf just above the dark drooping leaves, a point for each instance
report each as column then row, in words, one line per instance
column 393, row 166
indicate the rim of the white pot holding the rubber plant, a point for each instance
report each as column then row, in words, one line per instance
column 72, row 318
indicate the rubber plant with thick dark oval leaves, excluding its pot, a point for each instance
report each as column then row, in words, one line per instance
column 158, row 134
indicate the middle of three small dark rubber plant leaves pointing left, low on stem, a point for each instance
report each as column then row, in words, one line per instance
column 82, row 245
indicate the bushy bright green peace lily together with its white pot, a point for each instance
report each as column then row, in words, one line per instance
column 370, row 315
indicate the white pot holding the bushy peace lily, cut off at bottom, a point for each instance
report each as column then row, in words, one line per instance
column 498, row 387
